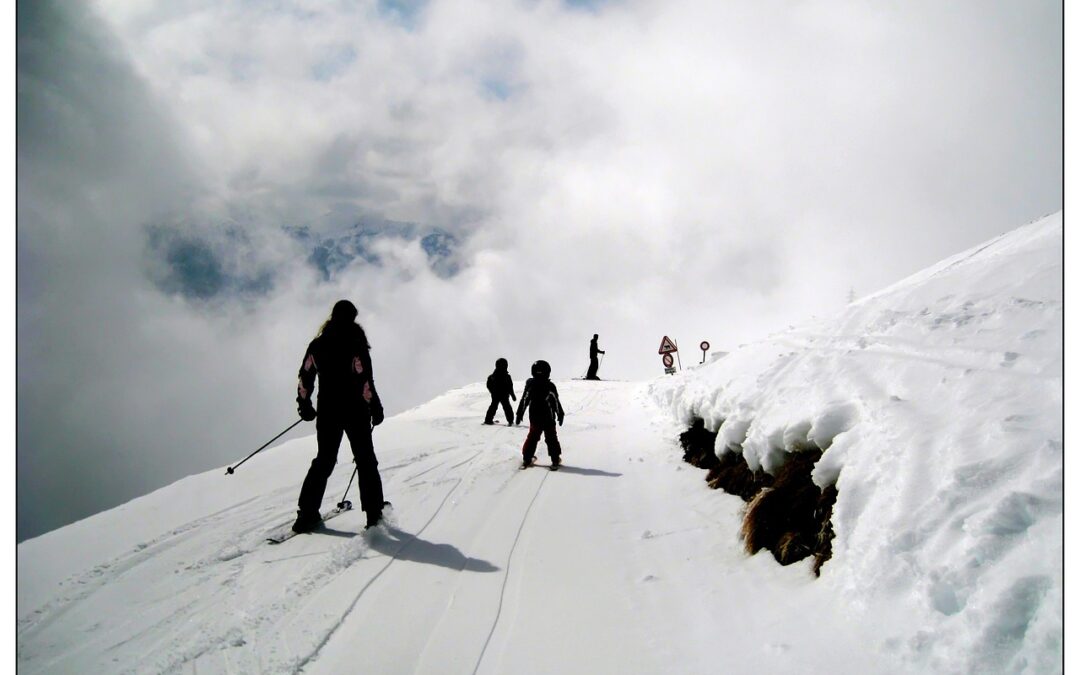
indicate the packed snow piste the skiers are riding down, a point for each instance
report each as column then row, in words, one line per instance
column 622, row 562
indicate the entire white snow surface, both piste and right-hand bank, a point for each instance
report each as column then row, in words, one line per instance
column 938, row 403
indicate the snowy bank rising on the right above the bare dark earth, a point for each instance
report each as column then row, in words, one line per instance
column 939, row 403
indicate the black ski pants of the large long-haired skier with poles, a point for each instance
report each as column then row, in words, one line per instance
column 329, row 430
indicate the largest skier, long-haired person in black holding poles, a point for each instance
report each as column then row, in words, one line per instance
column 348, row 403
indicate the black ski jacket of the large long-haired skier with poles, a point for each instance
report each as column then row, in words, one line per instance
column 341, row 359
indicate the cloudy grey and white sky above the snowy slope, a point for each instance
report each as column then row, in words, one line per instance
column 634, row 169
